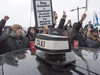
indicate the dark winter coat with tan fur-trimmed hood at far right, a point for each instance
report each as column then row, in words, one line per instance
column 92, row 42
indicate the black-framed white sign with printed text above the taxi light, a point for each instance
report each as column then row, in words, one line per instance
column 43, row 12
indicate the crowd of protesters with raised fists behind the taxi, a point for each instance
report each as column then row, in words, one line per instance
column 15, row 37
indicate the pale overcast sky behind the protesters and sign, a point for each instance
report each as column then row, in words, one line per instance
column 19, row 10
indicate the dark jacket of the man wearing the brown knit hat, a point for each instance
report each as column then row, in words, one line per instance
column 14, row 43
